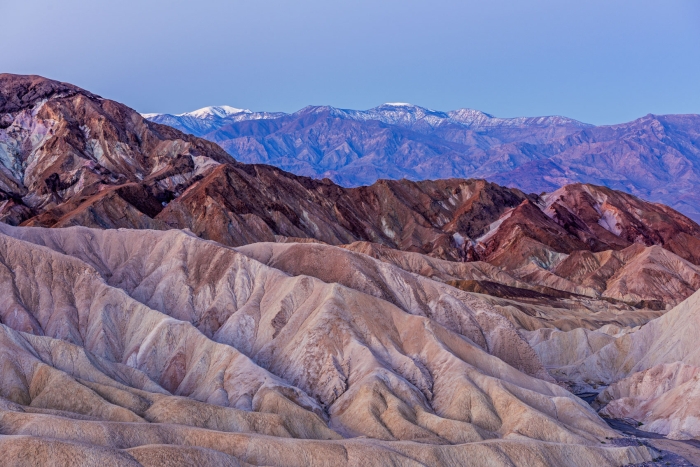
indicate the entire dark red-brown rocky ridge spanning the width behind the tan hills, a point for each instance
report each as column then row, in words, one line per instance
column 73, row 158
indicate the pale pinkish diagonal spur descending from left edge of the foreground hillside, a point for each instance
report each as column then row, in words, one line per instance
column 62, row 297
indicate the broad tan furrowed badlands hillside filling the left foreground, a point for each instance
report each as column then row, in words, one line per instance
column 127, row 347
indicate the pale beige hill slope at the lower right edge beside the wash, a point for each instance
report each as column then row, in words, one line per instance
column 652, row 372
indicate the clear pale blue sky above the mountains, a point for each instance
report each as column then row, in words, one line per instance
column 600, row 61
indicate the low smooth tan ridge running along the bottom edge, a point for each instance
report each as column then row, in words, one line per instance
column 107, row 443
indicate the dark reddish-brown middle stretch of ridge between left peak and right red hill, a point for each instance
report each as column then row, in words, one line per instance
column 255, row 203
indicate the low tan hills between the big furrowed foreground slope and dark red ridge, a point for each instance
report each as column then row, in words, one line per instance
column 524, row 305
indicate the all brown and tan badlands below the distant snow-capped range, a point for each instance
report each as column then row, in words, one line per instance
column 164, row 304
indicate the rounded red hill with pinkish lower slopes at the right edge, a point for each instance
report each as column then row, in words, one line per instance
column 597, row 242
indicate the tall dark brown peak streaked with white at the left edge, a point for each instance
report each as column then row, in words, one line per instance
column 70, row 156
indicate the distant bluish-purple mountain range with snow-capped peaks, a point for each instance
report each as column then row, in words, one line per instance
column 654, row 157
